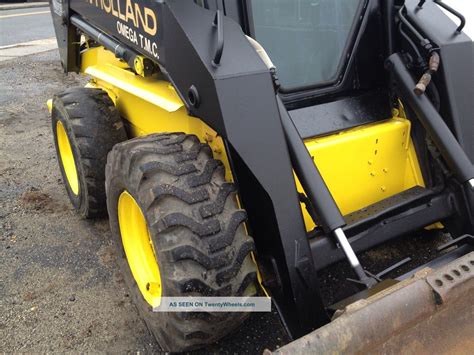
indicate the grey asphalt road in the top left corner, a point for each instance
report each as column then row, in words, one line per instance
column 25, row 25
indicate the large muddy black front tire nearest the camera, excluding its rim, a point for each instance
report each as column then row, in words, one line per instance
column 196, row 227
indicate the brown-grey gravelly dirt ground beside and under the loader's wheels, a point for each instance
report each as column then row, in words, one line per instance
column 60, row 289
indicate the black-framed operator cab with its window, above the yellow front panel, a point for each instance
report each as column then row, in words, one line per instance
column 328, row 55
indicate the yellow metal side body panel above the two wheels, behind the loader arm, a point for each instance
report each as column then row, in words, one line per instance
column 150, row 105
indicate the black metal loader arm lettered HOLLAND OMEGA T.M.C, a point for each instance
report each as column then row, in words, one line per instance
column 237, row 99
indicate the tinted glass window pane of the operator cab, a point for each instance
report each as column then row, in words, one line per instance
column 304, row 38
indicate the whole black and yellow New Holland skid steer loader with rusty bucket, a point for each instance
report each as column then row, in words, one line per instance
column 242, row 147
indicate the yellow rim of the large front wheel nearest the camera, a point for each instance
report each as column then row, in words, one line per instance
column 139, row 249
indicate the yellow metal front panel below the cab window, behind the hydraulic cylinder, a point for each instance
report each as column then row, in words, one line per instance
column 367, row 164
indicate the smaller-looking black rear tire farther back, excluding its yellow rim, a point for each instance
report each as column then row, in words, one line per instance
column 93, row 126
